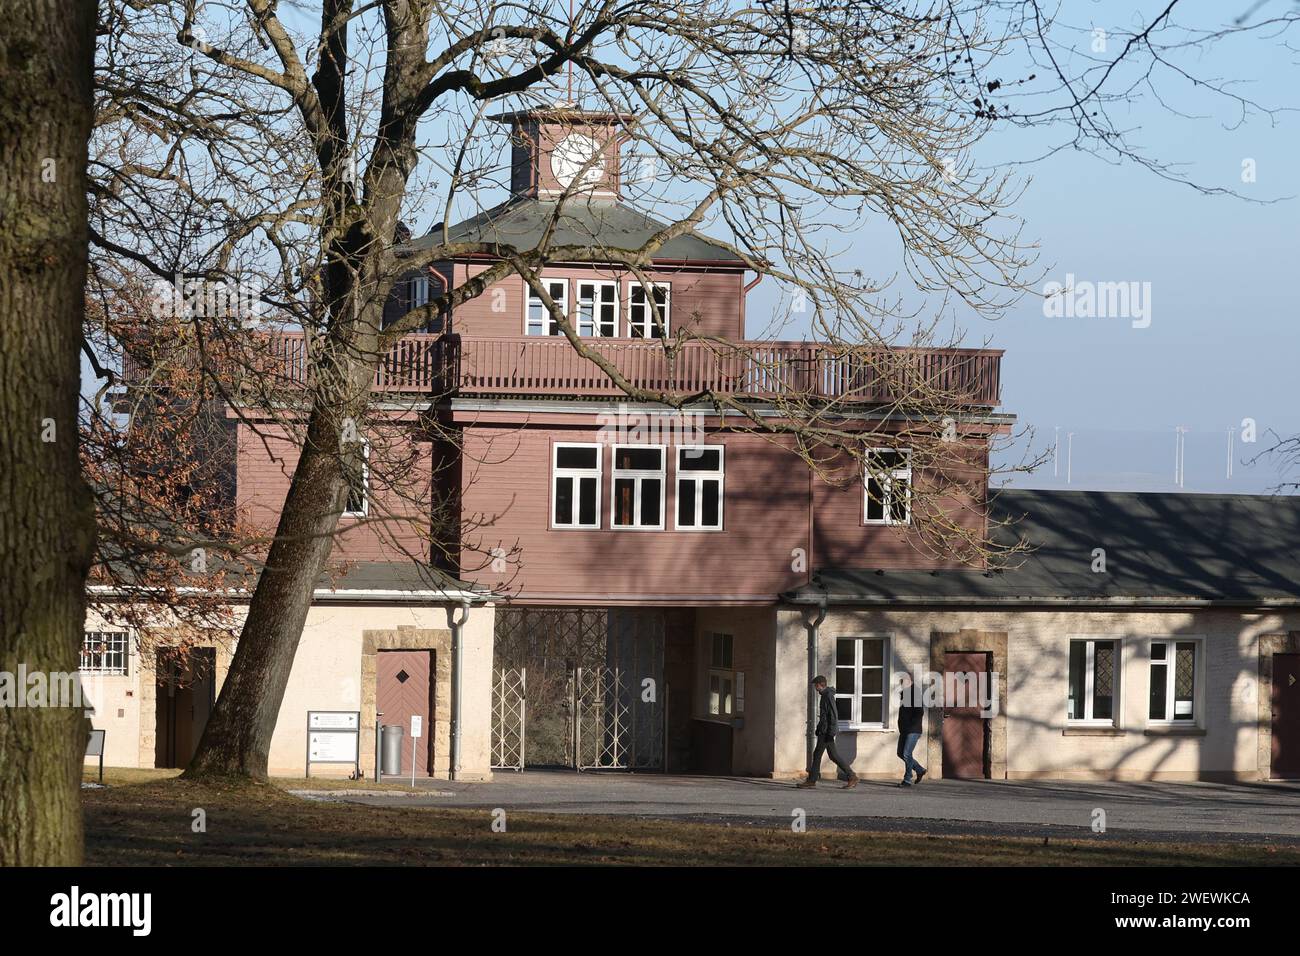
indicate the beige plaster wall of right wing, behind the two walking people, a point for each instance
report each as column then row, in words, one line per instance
column 1038, row 741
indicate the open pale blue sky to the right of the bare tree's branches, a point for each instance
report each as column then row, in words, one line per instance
column 1224, row 338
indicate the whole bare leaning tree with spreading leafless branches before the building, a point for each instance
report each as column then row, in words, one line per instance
column 252, row 142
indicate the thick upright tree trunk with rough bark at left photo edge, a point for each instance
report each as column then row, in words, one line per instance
column 47, row 521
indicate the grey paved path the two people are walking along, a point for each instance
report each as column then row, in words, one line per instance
column 1156, row 811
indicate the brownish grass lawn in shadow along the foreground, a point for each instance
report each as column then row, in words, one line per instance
column 145, row 819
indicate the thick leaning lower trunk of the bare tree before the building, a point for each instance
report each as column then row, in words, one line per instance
column 237, row 741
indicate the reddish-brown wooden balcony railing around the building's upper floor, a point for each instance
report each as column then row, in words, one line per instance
column 545, row 366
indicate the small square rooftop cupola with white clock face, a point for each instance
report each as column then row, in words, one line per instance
column 552, row 149
